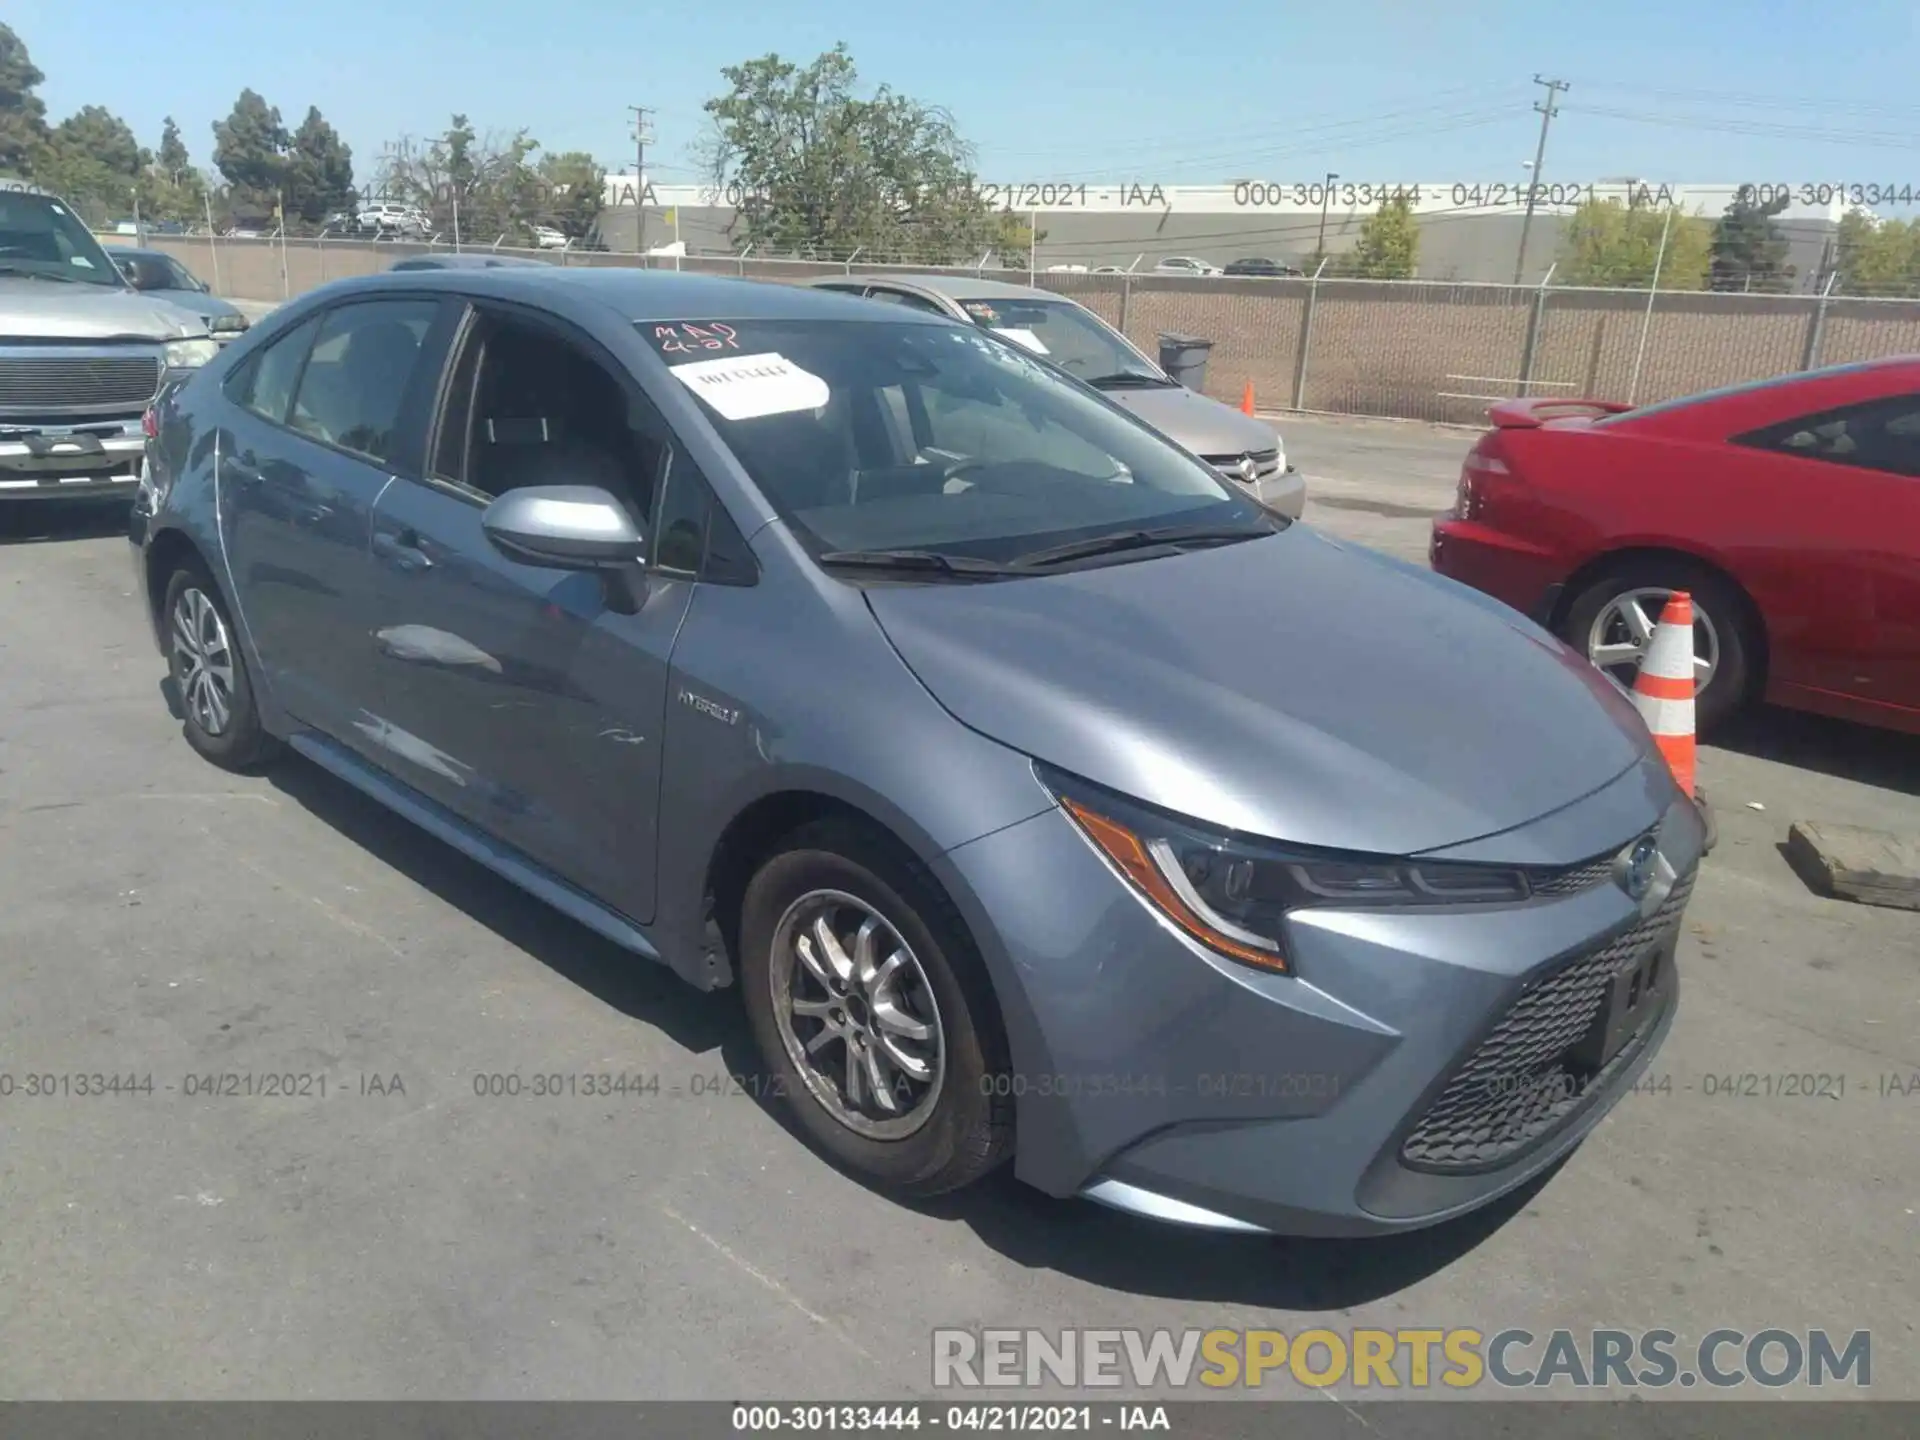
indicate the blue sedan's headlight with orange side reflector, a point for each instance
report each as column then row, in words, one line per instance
column 1236, row 894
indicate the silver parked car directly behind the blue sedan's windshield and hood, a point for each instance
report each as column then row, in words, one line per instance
column 1072, row 337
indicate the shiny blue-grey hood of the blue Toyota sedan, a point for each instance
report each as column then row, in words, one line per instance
column 1289, row 688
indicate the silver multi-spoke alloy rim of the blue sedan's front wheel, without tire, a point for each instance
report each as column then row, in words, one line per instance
column 857, row 1015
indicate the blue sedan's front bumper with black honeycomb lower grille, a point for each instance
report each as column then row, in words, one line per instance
column 1355, row 1097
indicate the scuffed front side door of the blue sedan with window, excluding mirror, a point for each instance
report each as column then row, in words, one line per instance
column 516, row 694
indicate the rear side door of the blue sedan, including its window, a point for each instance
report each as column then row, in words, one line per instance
column 322, row 420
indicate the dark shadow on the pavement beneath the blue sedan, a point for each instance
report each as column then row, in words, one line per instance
column 1074, row 1237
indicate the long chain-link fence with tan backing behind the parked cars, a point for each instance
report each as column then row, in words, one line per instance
column 1397, row 348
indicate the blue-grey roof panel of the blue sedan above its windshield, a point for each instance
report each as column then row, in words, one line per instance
column 644, row 295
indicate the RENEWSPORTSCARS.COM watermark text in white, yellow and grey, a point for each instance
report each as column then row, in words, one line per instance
column 1401, row 1360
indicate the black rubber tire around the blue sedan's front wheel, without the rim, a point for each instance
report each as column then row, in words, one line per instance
column 969, row 1128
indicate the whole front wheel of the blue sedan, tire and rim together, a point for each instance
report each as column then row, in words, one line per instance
column 873, row 1013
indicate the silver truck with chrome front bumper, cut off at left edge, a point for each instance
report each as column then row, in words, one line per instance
column 82, row 356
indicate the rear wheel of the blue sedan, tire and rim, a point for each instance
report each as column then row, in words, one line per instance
column 210, row 675
